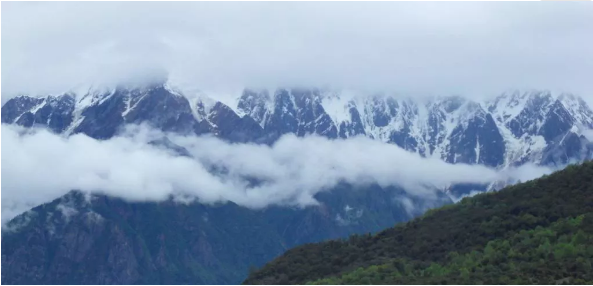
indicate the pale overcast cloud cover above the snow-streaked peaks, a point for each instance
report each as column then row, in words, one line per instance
column 441, row 48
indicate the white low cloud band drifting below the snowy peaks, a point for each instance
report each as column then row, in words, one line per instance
column 39, row 166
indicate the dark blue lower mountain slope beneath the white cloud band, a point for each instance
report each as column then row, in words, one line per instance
column 81, row 239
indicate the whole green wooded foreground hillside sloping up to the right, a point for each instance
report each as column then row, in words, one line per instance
column 548, row 206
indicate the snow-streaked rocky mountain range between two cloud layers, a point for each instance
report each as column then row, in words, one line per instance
column 511, row 129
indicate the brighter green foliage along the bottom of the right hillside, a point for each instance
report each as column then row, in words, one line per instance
column 497, row 263
